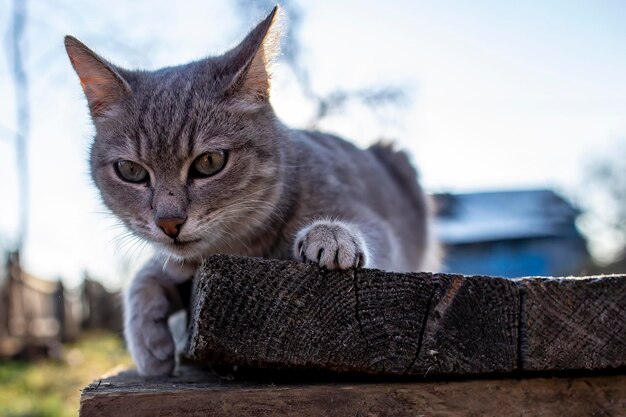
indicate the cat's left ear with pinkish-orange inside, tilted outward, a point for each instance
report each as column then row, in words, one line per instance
column 101, row 82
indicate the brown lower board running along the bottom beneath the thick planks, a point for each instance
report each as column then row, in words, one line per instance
column 197, row 394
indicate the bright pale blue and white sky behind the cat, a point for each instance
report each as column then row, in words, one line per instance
column 501, row 95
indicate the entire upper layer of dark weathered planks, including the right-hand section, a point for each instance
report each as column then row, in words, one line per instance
column 292, row 315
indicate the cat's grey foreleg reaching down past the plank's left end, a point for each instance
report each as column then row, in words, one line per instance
column 150, row 300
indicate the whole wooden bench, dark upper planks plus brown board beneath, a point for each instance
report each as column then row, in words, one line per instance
column 406, row 344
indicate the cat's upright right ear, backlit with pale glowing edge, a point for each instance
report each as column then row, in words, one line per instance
column 250, row 62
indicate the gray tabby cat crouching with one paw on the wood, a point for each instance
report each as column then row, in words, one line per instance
column 193, row 160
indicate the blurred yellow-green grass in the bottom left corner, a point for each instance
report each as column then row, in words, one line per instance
column 51, row 388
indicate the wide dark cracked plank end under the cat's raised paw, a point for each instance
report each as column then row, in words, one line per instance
column 288, row 314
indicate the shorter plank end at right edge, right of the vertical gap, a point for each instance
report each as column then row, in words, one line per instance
column 575, row 323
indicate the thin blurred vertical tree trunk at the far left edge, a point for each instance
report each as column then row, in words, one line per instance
column 15, row 52
